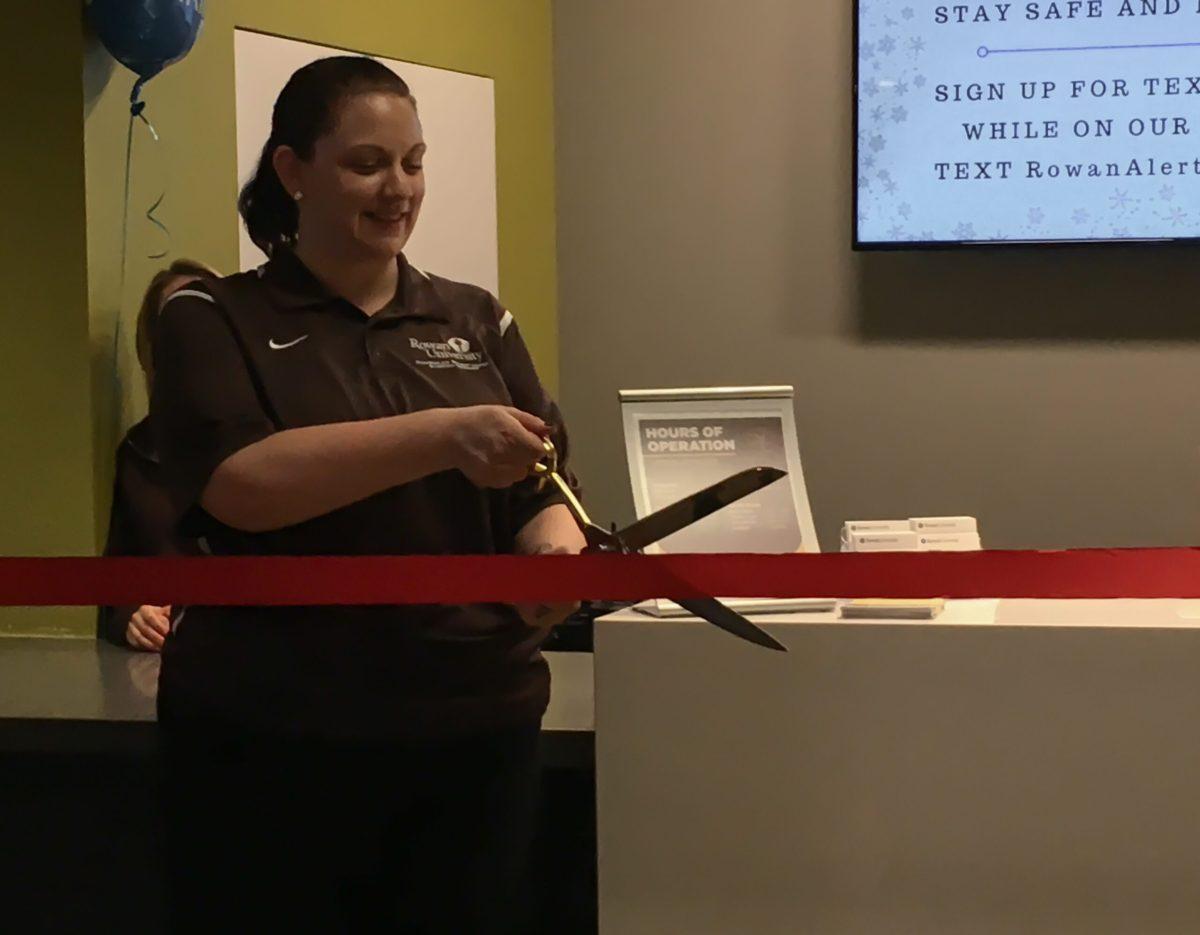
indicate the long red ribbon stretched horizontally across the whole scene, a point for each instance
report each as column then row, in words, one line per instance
column 278, row 582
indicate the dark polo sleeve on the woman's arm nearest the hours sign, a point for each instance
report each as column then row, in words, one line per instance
column 529, row 394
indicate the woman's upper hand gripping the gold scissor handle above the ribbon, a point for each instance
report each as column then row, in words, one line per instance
column 495, row 446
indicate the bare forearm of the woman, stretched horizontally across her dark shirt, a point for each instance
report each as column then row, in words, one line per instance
column 302, row 474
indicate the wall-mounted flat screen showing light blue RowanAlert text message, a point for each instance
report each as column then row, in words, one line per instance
column 1027, row 122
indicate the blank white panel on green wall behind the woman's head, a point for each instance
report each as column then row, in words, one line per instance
column 457, row 235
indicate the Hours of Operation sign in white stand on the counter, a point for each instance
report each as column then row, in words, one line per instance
column 681, row 441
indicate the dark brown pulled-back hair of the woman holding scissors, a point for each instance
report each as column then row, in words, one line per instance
column 305, row 111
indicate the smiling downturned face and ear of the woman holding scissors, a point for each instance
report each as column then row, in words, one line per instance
column 364, row 185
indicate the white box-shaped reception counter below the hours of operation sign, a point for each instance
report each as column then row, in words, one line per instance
column 1031, row 768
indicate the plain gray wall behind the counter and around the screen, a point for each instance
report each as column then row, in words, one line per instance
column 705, row 189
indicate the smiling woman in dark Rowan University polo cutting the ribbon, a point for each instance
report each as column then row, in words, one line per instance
column 344, row 770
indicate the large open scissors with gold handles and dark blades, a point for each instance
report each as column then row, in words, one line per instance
column 664, row 523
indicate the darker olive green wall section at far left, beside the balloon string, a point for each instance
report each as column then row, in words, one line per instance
column 46, row 466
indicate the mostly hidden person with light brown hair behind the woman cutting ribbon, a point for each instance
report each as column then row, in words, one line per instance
column 142, row 520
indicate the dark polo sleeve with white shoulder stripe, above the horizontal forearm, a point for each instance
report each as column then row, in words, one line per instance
column 205, row 405
